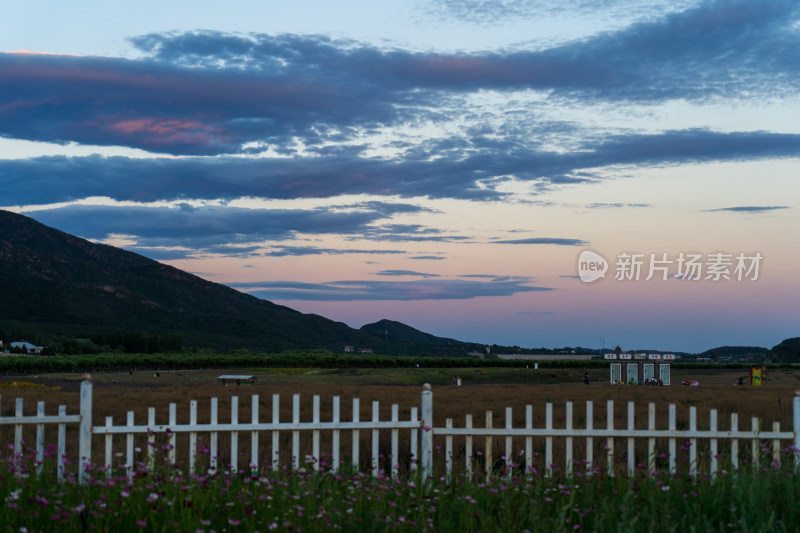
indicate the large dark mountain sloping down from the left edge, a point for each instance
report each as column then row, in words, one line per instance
column 54, row 283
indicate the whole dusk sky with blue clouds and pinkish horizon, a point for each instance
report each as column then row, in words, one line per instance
column 499, row 171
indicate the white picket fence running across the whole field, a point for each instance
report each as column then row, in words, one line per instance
column 422, row 432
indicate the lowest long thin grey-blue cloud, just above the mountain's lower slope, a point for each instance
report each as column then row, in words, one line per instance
column 385, row 290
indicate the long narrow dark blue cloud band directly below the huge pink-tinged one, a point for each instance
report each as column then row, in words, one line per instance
column 59, row 179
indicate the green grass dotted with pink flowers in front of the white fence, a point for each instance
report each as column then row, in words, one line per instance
column 167, row 499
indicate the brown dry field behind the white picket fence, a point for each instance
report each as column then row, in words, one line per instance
column 484, row 389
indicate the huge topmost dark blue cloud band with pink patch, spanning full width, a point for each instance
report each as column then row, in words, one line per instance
column 208, row 93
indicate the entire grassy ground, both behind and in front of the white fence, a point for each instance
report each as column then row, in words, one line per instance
column 754, row 499
